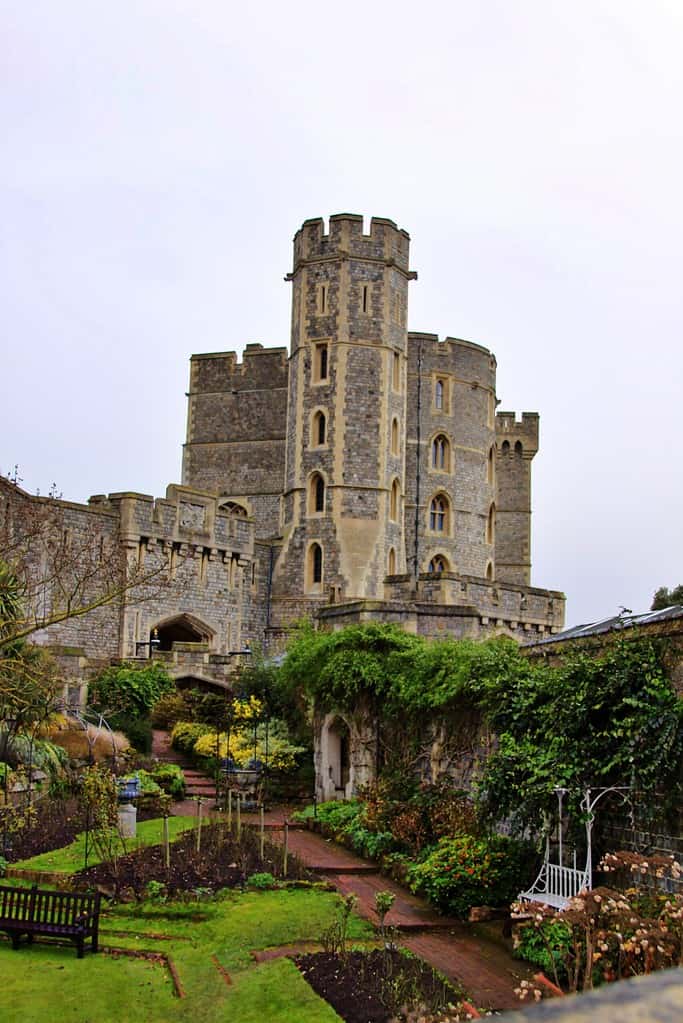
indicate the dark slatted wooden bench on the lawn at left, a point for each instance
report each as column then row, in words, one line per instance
column 58, row 915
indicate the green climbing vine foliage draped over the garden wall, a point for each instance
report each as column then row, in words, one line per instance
column 610, row 719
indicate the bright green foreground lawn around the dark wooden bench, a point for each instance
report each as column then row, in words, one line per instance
column 42, row 983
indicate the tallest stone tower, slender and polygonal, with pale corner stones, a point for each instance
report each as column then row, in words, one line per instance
column 343, row 506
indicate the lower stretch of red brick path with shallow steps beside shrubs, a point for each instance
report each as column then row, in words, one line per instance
column 483, row 966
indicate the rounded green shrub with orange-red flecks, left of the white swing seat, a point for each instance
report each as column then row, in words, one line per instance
column 464, row 872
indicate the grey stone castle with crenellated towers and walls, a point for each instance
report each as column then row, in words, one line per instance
column 366, row 475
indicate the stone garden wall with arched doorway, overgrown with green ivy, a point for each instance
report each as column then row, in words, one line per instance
column 508, row 727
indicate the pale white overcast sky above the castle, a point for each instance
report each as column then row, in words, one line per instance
column 158, row 157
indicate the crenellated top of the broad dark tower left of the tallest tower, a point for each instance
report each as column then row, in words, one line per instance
column 261, row 368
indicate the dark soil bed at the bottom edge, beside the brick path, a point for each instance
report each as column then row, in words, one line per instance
column 380, row 987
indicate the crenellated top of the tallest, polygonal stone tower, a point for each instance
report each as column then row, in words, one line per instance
column 345, row 239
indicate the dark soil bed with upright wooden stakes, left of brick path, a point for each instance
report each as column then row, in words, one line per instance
column 223, row 862
